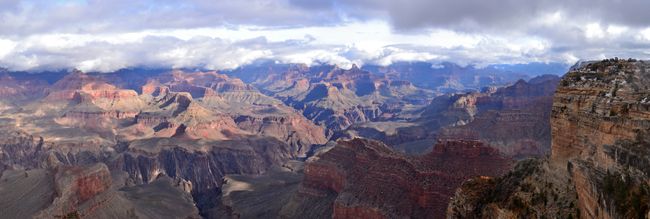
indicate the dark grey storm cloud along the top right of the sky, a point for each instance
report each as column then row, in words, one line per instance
column 498, row 14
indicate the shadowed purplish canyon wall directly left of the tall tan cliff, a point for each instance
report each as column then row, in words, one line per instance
column 514, row 119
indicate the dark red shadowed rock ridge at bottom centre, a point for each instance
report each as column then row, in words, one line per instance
column 368, row 179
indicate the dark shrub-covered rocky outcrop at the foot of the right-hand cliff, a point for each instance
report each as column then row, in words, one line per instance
column 532, row 190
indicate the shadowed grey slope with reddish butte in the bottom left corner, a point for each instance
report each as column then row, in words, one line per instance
column 78, row 192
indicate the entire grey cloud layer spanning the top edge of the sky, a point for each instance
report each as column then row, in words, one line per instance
column 25, row 17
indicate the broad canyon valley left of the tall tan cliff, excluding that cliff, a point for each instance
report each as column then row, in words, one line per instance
column 226, row 143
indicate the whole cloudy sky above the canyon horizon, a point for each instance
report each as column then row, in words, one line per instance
column 104, row 36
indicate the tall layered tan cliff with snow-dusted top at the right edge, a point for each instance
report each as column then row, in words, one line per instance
column 600, row 125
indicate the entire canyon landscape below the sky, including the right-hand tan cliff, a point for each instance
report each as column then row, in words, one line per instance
column 329, row 142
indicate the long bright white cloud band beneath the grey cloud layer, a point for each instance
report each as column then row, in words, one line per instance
column 359, row 43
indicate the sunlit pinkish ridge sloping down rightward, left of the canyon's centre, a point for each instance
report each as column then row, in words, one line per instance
column 252, row 111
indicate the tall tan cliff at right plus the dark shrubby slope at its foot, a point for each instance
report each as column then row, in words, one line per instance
column 600, row 123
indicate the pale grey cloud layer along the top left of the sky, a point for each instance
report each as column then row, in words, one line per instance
column 96, row 16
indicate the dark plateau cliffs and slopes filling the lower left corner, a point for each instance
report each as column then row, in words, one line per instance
column 90, row 182
